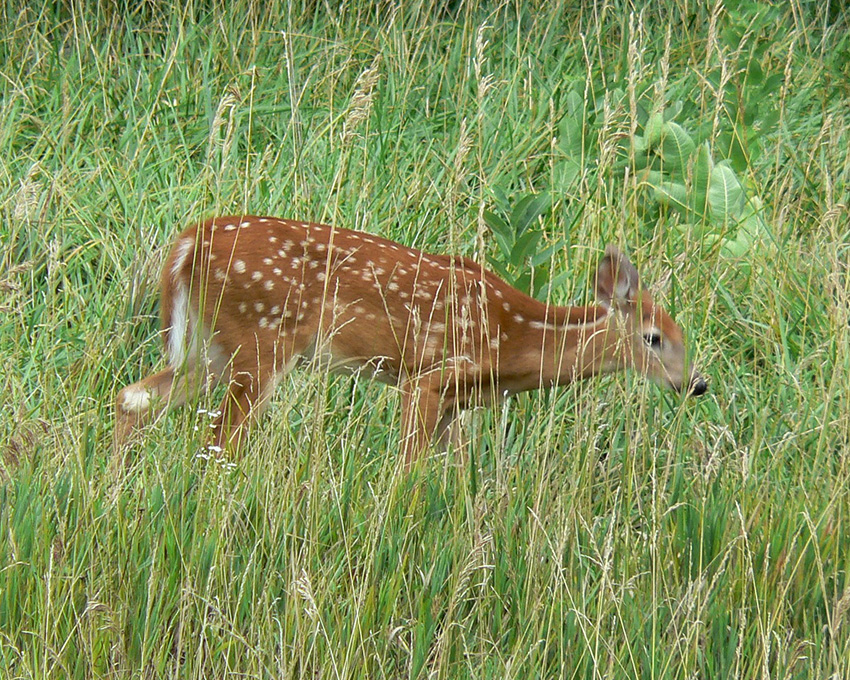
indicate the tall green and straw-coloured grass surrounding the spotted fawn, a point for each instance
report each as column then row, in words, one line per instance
column 605, row 530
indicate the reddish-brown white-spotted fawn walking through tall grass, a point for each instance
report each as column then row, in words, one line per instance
column 246, row 298
